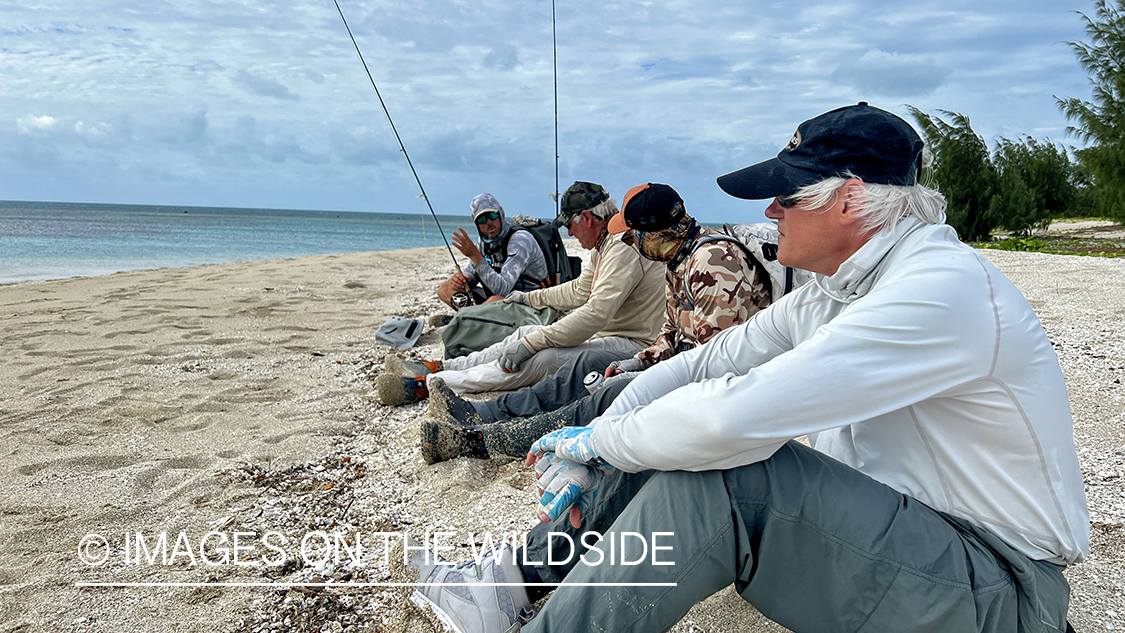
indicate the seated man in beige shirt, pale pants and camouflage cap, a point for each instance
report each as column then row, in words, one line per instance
column 617, row 304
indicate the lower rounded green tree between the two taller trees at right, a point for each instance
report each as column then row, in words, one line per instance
column 1037, row 182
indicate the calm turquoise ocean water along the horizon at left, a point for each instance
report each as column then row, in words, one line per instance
column 59, row 240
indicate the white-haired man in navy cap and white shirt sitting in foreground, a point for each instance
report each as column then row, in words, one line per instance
column 942, row 491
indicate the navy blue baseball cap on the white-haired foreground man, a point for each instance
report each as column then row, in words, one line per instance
column 872, row 144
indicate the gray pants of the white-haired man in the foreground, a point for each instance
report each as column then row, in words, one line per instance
column 814, row 545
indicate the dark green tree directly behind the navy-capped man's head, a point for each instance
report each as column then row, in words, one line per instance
column 964, row 171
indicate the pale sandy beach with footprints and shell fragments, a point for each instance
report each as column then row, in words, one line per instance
column 240, row 399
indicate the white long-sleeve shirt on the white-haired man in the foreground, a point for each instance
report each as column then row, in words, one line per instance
column 917, row 364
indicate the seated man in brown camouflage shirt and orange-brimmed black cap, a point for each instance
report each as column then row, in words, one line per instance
column 713, row 284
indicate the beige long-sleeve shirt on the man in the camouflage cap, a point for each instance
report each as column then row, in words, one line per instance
column 620, row 294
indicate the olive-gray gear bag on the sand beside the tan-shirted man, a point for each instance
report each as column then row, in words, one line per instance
column 476, row 328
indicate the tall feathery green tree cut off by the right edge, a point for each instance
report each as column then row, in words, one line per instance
column 1102, row 122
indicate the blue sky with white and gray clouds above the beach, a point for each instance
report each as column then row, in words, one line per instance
column 266, row 104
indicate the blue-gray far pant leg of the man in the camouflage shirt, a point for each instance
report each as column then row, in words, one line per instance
column 561, row 388
